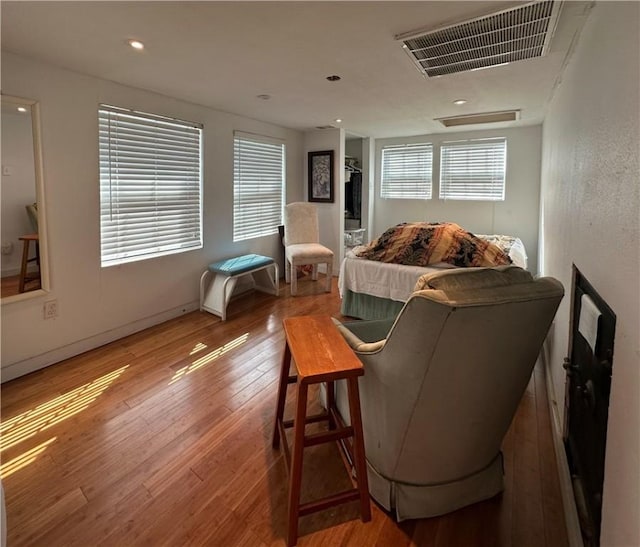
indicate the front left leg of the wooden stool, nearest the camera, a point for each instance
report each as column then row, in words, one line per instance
column 295, row 481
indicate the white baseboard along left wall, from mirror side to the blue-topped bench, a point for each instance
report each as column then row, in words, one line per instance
column 20, row 368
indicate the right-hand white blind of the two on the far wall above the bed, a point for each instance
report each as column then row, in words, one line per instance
column 473, row 170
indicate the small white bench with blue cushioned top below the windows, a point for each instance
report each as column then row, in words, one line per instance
column 215, row 294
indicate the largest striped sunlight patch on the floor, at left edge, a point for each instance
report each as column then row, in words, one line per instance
column 46, row 415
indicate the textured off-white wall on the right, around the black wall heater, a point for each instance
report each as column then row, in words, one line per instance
column 590, row 216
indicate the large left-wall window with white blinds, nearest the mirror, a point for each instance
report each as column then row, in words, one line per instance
column 150, row 185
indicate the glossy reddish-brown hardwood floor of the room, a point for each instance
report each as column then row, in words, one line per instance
column 163, row 438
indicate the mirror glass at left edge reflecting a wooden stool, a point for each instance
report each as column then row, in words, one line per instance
column 20, row 260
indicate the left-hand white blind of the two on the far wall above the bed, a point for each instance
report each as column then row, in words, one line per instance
column 406, row 171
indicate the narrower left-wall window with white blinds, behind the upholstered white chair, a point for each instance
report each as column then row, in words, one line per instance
column 258, row 185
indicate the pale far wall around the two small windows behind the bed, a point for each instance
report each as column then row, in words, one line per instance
column 517, row 215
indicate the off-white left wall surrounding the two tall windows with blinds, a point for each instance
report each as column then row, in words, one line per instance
column 97, row 305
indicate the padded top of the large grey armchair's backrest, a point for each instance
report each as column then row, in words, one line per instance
column 473, row 278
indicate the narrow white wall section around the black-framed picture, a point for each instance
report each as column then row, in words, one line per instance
column 330, row 215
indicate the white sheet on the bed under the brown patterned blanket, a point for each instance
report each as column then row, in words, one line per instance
column 396, row 281
